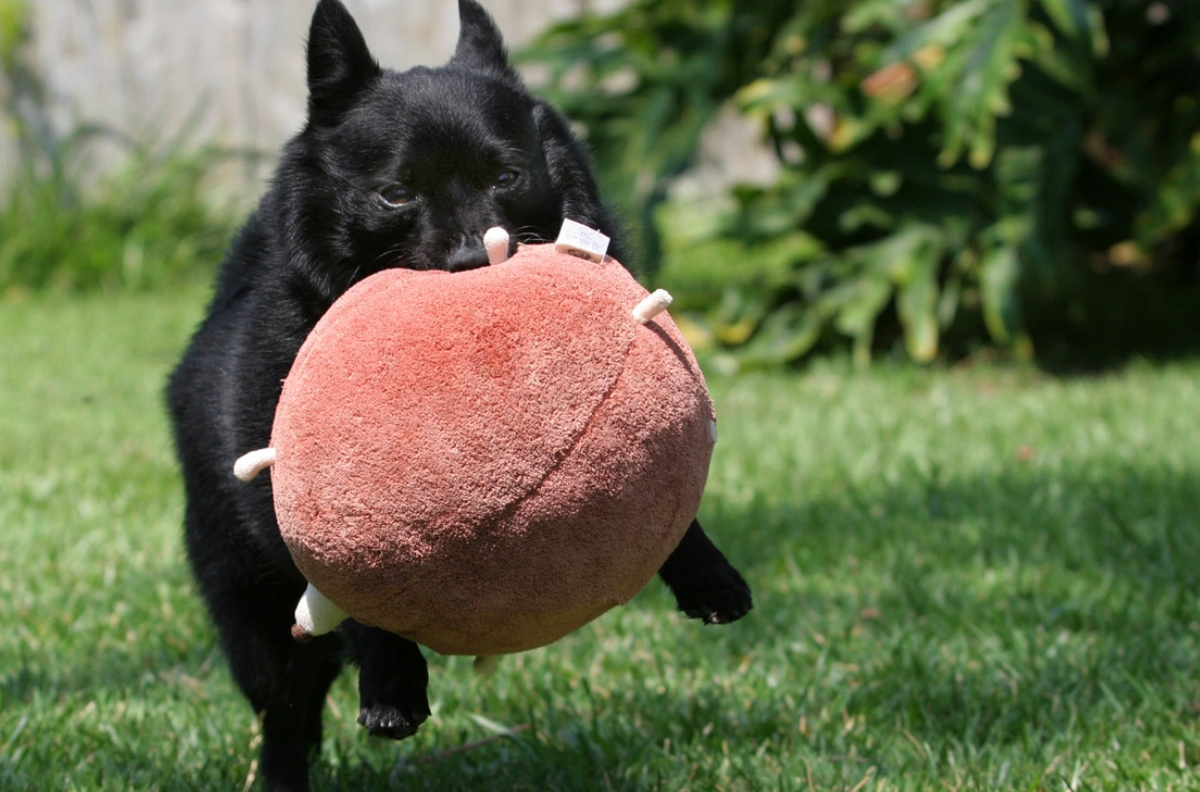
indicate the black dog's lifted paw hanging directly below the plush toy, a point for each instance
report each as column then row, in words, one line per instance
column 393, row 681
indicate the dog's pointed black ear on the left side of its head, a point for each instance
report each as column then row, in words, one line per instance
column 340, row 65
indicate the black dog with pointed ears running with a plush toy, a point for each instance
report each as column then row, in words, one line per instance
column 392, row 170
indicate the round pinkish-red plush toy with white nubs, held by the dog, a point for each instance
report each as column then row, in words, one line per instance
column 485, row 461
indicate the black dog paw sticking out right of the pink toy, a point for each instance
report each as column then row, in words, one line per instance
column 705, row 584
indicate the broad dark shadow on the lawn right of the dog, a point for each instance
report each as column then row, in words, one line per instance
column 1011, row 610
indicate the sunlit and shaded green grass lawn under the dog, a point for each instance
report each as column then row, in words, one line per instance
column 975, row 580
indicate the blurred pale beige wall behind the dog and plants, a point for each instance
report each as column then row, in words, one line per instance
column 232, row 73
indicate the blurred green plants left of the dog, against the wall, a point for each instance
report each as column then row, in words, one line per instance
column 68, row 224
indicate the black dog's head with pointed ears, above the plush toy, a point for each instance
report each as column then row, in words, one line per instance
column 411, row 169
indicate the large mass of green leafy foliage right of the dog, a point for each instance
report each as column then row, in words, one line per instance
column 952, row 175
